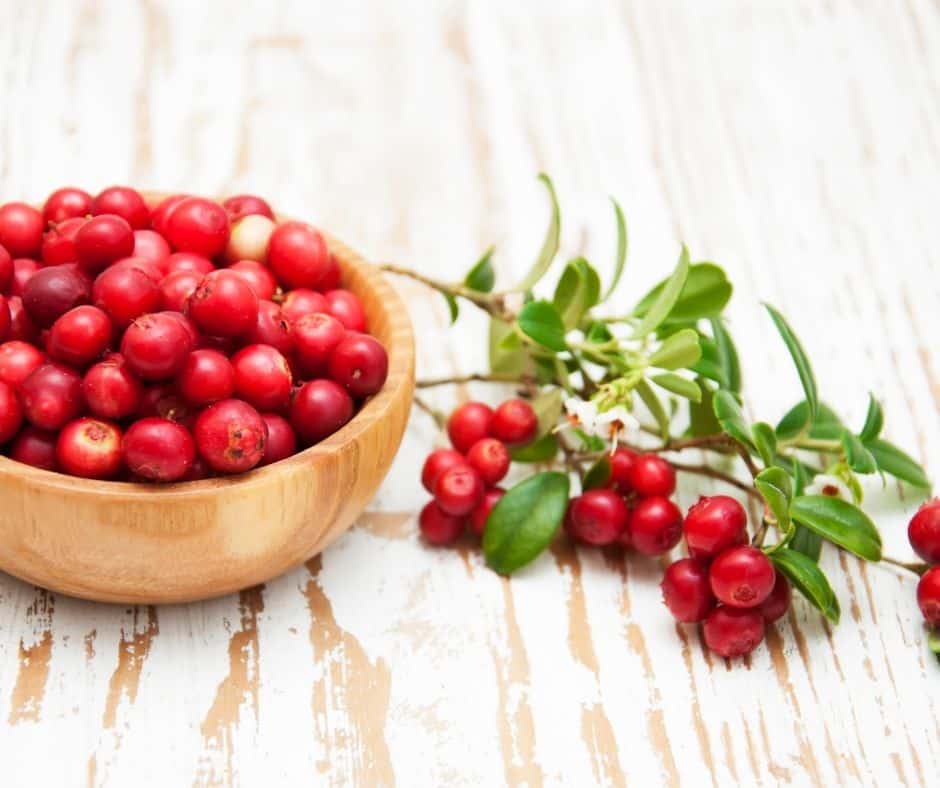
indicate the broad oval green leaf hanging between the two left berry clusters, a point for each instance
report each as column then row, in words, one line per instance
column 524, row 521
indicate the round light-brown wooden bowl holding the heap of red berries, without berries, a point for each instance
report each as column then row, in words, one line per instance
column 136, row 543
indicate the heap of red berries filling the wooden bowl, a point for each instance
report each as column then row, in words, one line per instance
column 172, row 342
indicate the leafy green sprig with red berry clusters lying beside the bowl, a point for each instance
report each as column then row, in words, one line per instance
column 608, row 400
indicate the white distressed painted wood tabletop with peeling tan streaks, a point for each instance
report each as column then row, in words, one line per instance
column 794, row 142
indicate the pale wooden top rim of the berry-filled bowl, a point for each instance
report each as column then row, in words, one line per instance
column 400, row 367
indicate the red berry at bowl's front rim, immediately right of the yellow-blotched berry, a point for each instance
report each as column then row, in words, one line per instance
column 158, row 450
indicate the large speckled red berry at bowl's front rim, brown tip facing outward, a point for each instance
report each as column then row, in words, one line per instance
column 230, row 436
